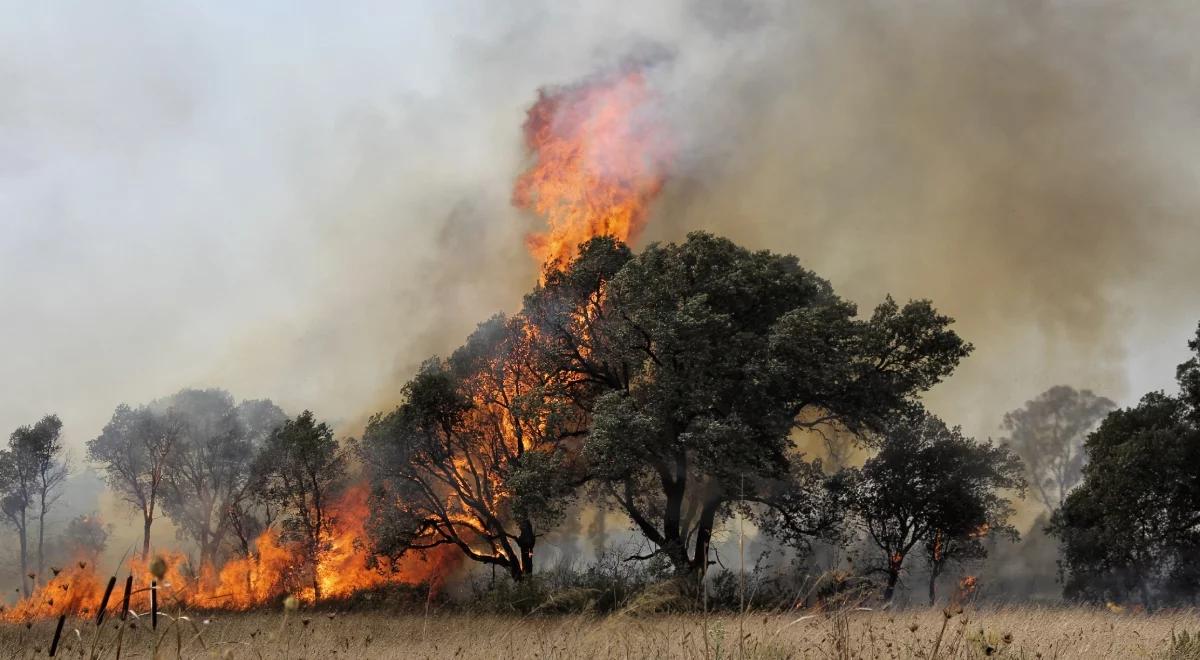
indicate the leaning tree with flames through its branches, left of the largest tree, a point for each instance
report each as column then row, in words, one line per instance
column 477, row 455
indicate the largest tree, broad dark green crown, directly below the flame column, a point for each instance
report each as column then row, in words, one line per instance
column 695, row 363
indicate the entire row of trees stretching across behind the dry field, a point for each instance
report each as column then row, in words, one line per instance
column 670, row 387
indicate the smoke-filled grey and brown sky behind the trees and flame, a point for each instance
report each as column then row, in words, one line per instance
column 302, row 201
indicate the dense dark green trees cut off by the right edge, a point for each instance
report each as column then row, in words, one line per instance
column 1132, row 530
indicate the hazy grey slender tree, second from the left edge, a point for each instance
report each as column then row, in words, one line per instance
column 135, row 449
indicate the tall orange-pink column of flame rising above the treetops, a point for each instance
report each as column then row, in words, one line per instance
column 601, row 159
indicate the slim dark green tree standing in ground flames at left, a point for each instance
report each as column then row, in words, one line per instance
column 302, row 470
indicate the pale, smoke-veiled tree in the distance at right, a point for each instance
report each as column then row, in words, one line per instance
column 1048, row 434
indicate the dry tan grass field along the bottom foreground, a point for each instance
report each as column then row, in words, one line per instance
column 999, row 633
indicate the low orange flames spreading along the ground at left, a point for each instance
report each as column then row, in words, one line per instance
column 278, row 568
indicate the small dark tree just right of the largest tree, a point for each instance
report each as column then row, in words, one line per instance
column 929, row 485
